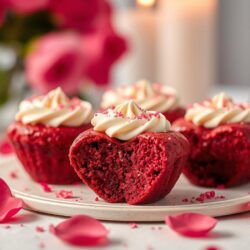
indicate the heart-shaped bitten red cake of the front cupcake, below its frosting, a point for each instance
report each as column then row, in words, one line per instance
column 141, row 170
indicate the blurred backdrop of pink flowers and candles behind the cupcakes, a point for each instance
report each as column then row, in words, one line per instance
column 86, row 46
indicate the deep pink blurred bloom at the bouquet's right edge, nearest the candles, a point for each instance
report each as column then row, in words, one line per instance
column 102, row 49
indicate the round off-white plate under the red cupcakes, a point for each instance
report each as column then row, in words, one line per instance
column 84, row 202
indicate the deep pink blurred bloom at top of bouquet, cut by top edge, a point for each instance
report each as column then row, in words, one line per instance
column 79, row 14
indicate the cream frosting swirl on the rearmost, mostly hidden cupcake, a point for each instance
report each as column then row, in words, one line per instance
column 148, row 96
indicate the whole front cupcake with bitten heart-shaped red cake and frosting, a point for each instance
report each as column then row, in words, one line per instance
column 130, row 155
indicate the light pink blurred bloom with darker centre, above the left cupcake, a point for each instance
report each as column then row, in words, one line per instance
column 57, row 60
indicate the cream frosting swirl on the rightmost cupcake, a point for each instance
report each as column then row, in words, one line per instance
column 219, row 110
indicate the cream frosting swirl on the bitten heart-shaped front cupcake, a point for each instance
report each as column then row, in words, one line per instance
column 128, row 120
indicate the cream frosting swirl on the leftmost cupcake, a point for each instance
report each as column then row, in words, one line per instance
column 55, row 109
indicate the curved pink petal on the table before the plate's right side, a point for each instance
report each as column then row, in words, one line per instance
column 191, row 224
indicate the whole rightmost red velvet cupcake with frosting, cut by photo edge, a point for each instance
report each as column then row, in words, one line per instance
column 219, row 134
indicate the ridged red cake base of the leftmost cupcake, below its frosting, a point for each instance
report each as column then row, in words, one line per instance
column 43, row 151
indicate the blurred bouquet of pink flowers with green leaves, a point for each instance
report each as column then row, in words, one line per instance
column 50, row 43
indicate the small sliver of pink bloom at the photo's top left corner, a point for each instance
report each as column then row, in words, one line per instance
column 27, row 6
